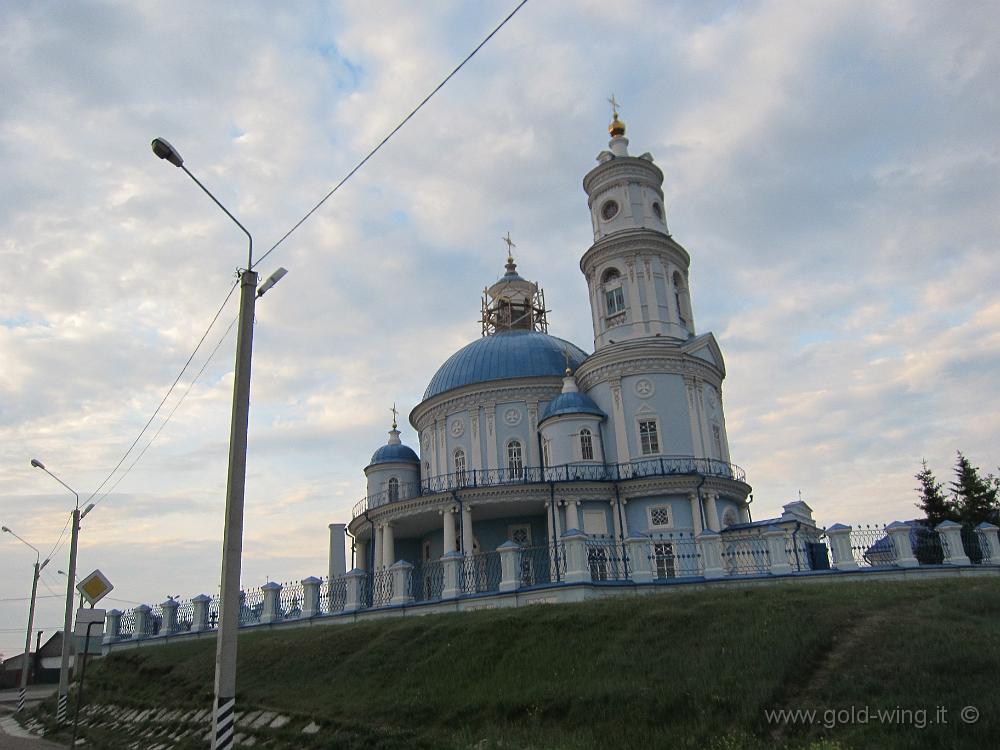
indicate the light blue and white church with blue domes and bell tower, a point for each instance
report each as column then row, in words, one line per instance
column 523, row 436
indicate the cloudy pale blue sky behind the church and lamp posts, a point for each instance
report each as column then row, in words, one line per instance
column 832, row 168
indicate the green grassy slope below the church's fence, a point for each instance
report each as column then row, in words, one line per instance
column 682, row 669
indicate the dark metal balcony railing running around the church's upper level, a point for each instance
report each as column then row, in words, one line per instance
column 636, row 469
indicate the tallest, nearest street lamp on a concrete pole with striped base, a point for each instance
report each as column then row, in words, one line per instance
column 223, row 715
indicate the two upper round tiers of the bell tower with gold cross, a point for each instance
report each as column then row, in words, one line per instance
column 637, row 274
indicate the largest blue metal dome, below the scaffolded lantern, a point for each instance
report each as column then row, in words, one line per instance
column 505, row 355
